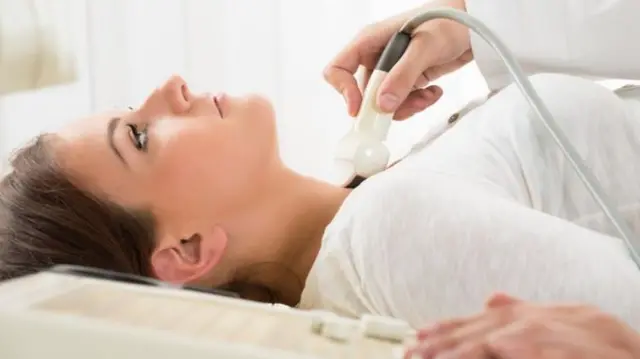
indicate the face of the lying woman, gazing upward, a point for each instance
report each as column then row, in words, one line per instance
column 189, row 159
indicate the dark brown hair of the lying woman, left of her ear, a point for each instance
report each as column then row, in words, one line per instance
column 46, row 220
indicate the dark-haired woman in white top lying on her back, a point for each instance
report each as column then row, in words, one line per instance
column 190, row 189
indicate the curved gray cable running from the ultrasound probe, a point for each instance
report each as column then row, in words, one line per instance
column 541, row 110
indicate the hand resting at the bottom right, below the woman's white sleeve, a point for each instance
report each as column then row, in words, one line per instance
column 513, row 329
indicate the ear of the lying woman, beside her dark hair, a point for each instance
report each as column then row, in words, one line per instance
column 184, row 260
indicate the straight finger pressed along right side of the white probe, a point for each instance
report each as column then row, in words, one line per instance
column 420, row 55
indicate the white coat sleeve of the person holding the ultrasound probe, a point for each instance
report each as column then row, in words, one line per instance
column 590, row 38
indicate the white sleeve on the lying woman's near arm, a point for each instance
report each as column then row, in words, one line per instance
column 439, row 249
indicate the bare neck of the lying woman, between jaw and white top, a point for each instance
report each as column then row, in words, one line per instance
column 290, row 216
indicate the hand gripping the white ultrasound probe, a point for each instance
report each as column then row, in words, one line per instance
column 439, row 47
